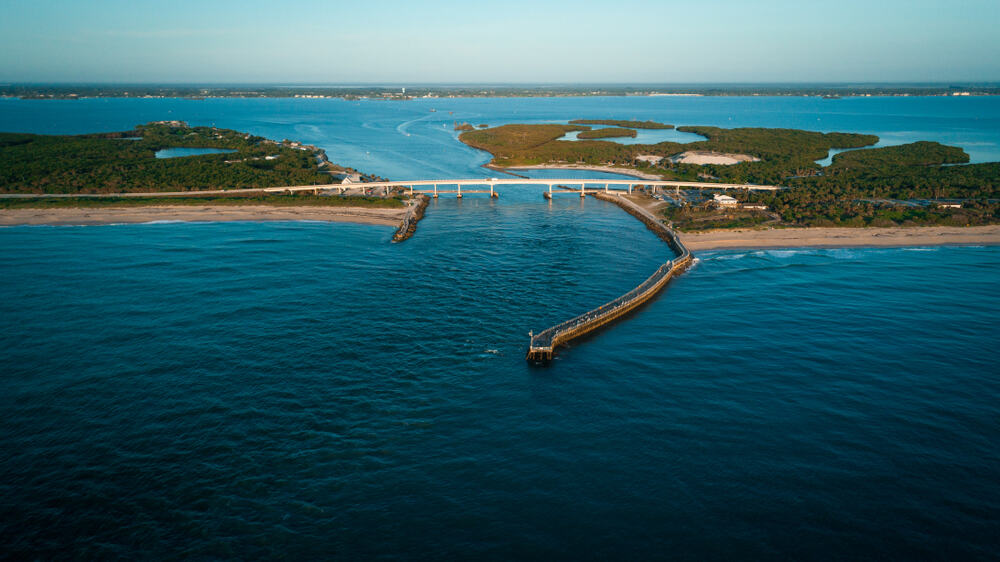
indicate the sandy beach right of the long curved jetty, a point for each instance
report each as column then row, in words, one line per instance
column 842, row 237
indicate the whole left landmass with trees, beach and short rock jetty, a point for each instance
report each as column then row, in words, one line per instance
column 134, row 176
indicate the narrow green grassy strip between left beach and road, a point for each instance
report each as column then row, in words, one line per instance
column 194, row 200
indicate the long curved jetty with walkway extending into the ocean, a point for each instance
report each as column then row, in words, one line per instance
column 542, row 345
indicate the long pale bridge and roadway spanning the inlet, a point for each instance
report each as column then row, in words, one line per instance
column 421, row 186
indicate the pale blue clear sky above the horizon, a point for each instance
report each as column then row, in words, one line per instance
column 501, row 41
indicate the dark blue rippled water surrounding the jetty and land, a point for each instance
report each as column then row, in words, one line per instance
column 310, row 391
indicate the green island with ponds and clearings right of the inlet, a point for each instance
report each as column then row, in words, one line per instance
column 916, row 184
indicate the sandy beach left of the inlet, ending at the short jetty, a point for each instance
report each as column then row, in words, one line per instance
column 112, row 215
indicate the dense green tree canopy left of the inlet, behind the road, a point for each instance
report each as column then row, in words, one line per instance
column 125, row 162
